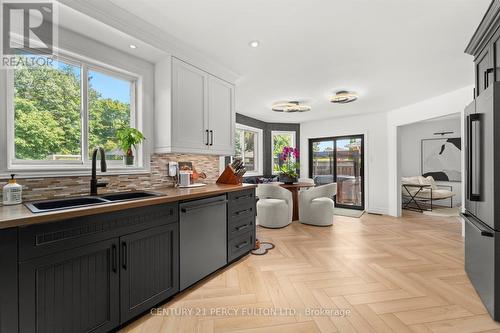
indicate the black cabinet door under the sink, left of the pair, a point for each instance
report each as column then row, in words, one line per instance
column 71, row 291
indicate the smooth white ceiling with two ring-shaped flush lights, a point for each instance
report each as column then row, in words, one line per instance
column 392, row 52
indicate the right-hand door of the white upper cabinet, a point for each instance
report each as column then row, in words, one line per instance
column 221, row 116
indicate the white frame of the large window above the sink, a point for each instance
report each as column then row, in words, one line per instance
column 86, row 65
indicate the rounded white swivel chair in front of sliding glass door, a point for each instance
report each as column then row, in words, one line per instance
column 316, row 205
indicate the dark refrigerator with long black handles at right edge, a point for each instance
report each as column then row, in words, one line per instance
column 482, row 205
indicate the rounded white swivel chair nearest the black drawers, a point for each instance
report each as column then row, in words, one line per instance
column 275, row 206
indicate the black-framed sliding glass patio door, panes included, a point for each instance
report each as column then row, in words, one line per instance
column 339, row 160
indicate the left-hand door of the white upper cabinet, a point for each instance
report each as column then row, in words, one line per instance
column 189, row 108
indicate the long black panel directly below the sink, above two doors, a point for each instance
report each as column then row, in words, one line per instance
column 43, row 239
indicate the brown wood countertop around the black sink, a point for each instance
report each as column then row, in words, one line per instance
column 19, row 215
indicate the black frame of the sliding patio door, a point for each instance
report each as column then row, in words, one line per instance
column 362, row 170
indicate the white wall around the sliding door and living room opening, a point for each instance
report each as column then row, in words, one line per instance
column 382, row 148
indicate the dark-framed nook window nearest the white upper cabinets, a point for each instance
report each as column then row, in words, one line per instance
column 248, row 147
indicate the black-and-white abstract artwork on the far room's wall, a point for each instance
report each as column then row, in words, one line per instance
column 441, row 159
